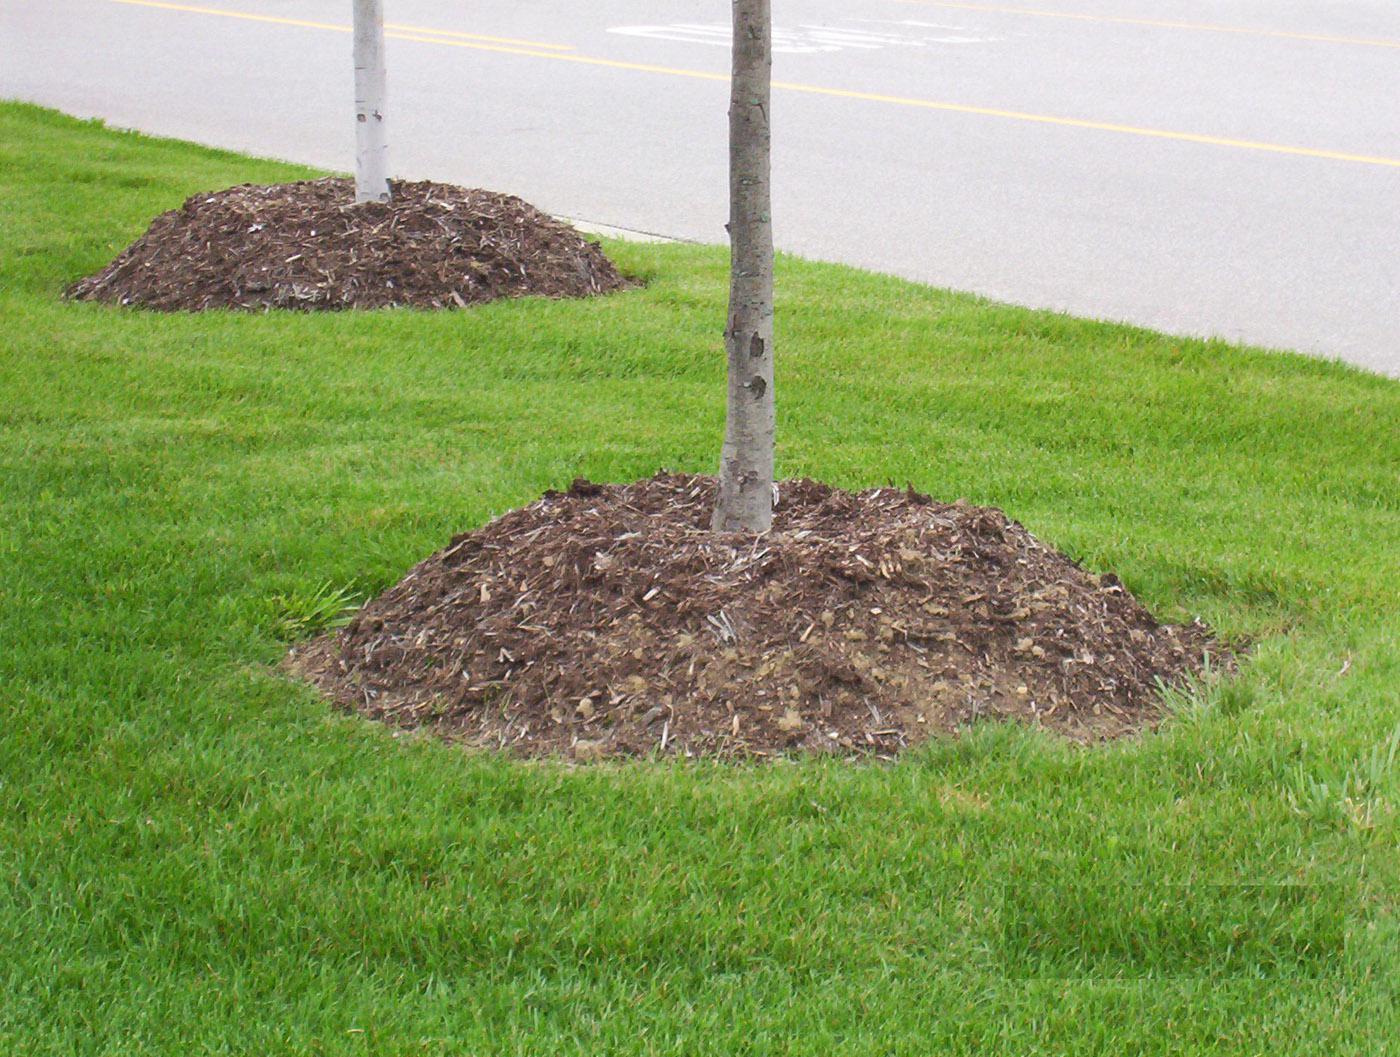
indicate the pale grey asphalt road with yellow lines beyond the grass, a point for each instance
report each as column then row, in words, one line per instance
column 1223, row 169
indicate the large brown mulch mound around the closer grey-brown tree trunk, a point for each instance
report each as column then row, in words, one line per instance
column 610, row 621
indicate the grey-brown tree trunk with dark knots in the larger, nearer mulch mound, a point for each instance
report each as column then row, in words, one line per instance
column 745, row 500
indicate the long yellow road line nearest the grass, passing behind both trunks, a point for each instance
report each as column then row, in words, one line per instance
column 848, row 94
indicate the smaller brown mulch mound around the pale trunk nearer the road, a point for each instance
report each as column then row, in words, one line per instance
column 310, row 247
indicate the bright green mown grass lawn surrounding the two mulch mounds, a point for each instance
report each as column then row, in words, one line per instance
column 197, row 856
